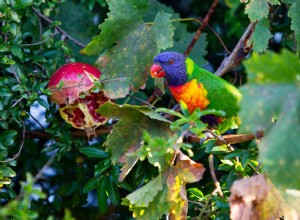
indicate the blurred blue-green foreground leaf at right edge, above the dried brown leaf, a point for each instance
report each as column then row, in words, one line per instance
column 279, row 150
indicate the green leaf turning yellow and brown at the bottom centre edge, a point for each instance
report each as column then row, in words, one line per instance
column 166, row 193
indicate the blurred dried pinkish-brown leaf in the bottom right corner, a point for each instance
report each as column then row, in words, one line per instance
column 255, row 198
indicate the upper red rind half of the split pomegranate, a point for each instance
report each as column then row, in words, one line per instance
column 75, row 78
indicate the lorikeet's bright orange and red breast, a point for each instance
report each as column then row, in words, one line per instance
column 192, row 93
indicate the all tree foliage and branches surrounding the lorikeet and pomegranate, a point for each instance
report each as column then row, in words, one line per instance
column 152, row 159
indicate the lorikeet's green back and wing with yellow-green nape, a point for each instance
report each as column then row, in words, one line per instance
column 221, row 94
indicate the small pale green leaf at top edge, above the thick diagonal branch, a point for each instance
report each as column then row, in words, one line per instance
column 257, row 9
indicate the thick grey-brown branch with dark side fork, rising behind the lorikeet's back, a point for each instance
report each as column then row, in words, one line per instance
column 238, row 52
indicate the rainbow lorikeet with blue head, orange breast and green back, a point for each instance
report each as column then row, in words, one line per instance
column 196, row 87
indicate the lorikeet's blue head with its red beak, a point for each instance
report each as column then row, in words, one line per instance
column 172, row 66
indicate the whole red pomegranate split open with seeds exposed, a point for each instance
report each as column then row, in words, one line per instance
column 72, row 89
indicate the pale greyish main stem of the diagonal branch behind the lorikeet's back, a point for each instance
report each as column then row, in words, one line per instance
column 229, row 61
